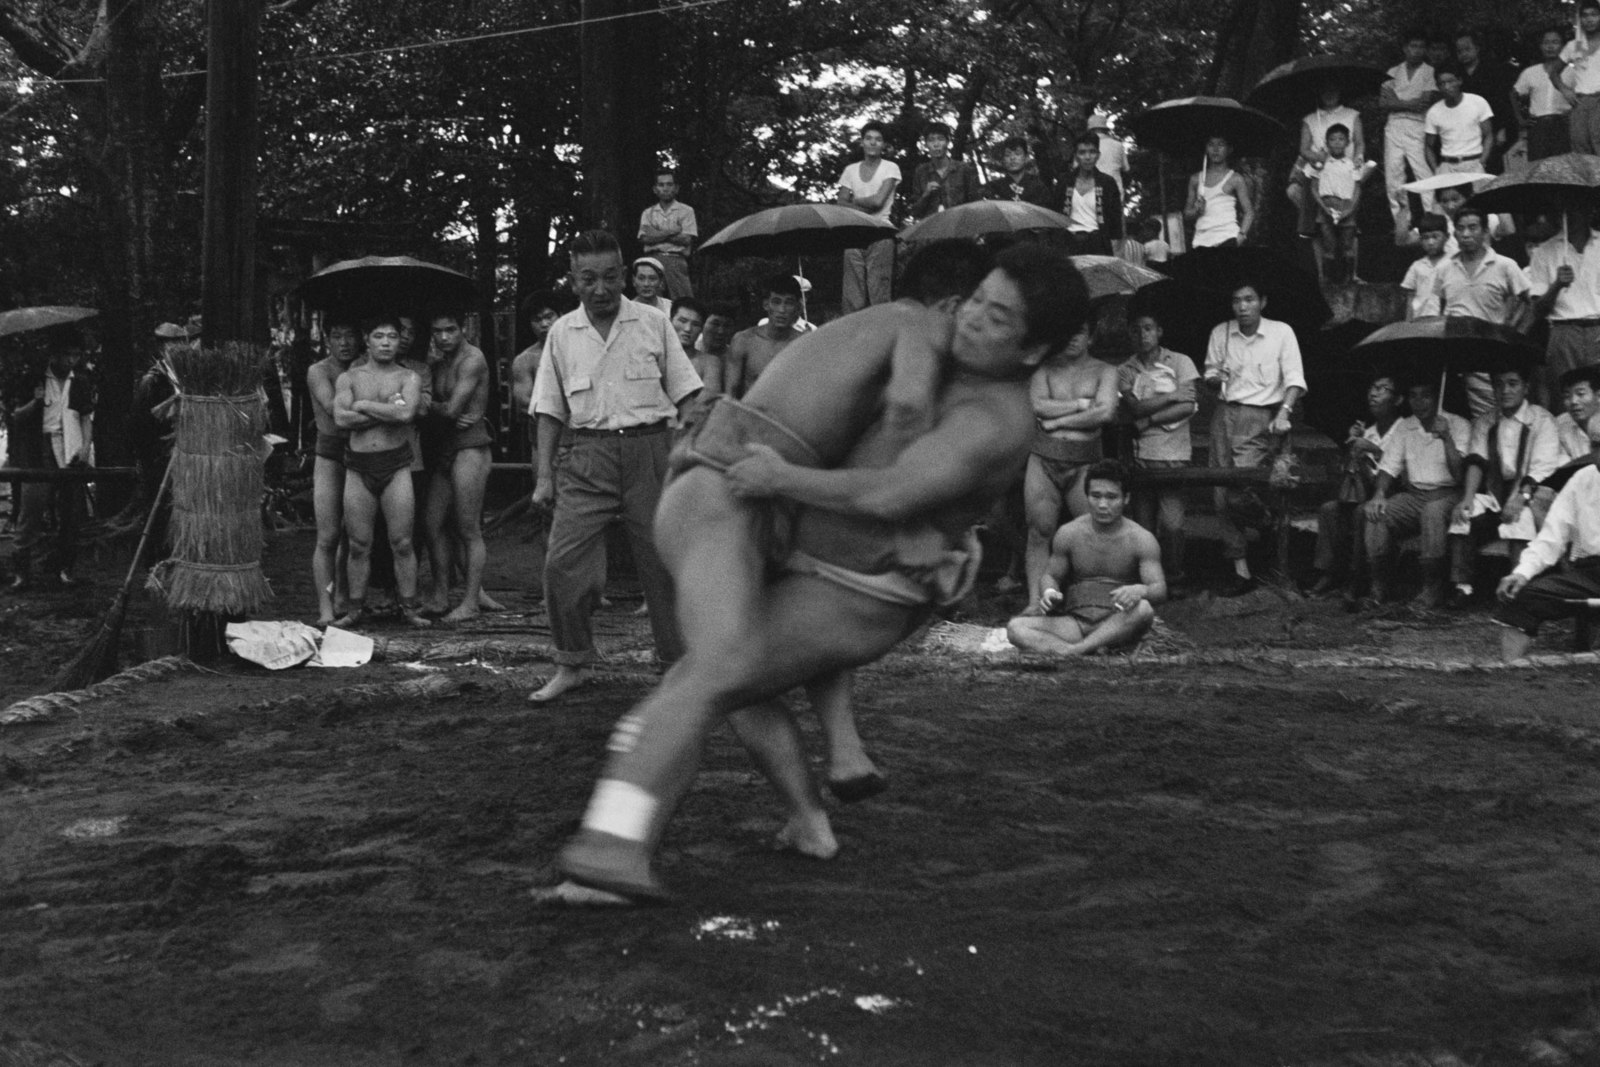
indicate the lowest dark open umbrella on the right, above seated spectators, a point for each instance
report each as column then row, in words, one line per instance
column 1425, row 348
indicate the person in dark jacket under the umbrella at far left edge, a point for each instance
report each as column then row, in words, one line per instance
column 54, row 431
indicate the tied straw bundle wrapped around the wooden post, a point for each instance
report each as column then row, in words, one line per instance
column 218, row 463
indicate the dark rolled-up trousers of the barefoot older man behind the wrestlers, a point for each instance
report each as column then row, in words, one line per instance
column 596, row 481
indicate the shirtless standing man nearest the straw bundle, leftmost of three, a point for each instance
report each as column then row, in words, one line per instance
column 343, row 343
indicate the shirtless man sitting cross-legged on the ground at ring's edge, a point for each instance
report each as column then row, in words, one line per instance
column 1103, row 580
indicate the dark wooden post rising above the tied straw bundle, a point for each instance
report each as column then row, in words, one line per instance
column 228, row 260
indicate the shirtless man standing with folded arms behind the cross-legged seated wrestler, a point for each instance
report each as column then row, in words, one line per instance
column 1074, row 398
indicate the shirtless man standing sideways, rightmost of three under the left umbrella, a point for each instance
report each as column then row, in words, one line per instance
column 462, row 396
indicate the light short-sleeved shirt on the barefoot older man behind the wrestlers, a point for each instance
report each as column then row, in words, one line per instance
column 633, row 377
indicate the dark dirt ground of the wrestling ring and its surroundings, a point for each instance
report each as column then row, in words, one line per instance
column 1111, row 863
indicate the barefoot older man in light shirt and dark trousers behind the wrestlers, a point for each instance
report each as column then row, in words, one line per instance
column 610, row 380
